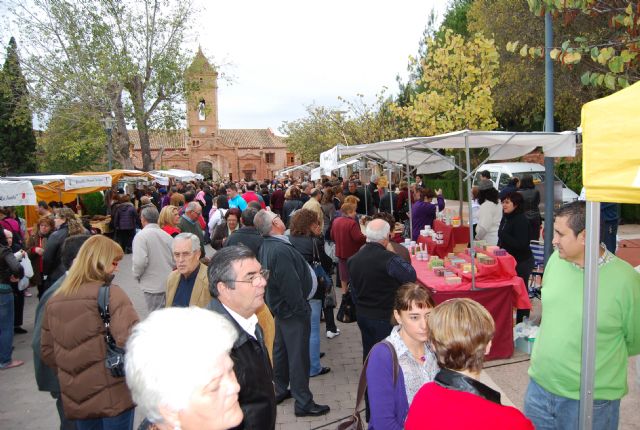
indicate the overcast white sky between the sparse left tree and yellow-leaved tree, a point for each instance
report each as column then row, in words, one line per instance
column 287, row 54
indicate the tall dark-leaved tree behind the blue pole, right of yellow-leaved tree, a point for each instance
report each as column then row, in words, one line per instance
column 519, row 94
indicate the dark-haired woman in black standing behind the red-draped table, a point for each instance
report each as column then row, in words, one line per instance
column 514, row 236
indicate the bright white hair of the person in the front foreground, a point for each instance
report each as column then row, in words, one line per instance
column 149, row 358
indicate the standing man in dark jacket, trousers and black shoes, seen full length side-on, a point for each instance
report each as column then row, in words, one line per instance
column 289, row 287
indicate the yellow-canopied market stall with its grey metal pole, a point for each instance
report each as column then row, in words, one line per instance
column 611, row 173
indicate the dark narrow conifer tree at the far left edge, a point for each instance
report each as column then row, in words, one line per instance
column 17, row 140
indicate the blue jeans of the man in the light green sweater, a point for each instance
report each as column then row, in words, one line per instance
column 550, row 412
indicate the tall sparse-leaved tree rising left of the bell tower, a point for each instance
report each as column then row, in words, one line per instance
column 120, row 56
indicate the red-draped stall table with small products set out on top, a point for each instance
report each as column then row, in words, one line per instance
column 498, row 289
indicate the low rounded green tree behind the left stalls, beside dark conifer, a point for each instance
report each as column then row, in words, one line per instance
column 74, row 141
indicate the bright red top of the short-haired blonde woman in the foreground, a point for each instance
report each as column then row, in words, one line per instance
column 436, row 407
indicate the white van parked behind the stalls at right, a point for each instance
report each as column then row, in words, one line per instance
column 502, row 173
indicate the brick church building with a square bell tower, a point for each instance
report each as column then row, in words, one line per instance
column 207, row 149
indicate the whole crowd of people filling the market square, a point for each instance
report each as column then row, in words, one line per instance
column 232, row 334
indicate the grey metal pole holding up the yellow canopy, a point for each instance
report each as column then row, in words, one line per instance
column 589, row 314
